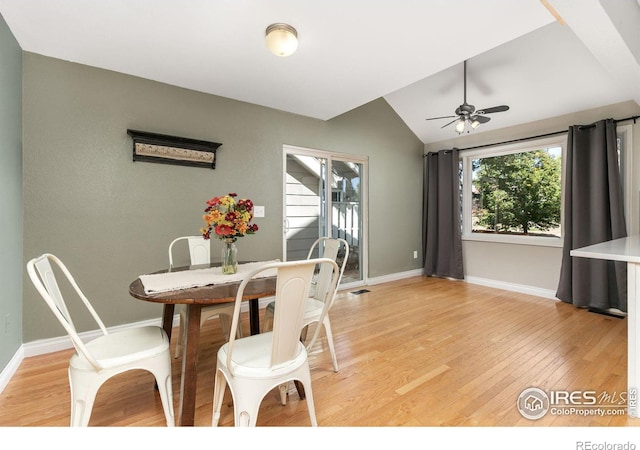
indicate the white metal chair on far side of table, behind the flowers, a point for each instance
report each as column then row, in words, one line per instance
column 200, row 253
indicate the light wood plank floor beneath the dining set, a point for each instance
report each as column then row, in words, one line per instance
column 414, row 352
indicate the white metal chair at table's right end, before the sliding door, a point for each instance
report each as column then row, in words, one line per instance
column 321, row 296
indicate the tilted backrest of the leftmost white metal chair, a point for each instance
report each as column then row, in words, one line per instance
column 44, row 279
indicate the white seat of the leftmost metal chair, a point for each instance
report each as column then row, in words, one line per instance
column 123, row 347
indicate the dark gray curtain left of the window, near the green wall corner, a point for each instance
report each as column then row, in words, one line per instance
column 442, row 237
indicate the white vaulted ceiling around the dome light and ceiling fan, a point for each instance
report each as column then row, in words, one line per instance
column 351, row 52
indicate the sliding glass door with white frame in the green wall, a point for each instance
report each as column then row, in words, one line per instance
column 325, row 195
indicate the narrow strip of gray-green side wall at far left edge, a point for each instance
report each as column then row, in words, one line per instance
column 10, row 195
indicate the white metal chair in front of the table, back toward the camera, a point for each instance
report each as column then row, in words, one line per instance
column 254, row 365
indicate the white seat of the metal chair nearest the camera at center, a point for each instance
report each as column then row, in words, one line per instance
column 252, row 357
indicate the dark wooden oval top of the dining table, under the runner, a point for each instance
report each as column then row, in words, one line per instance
column 205, row 295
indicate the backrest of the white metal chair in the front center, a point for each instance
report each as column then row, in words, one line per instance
column 292, row 289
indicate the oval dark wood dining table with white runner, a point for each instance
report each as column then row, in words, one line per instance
column 195, row 287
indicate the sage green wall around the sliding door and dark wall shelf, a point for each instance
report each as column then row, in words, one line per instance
column 111, row 219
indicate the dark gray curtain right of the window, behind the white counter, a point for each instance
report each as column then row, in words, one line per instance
column 593, row 214
